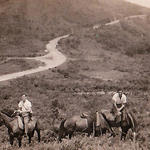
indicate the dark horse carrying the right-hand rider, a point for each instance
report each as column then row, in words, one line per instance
column 125, row 120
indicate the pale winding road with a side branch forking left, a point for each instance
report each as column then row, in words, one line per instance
column 53, row 59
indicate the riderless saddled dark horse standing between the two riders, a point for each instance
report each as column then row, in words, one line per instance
column 80, row 124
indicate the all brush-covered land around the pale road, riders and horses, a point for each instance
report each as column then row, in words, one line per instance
column 99, row 62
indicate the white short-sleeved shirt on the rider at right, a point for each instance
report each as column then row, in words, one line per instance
column 119, row 100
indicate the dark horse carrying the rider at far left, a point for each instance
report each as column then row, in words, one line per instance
column 14, row 130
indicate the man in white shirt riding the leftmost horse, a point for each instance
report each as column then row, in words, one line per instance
column 25, row 109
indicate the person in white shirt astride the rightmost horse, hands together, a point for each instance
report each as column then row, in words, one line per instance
column 119, row 102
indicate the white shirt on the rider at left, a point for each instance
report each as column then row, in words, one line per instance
column 26, row 106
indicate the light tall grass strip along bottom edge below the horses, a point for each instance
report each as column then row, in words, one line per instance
column 83, row 143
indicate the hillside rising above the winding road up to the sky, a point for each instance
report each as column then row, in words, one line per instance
column 33, row 23
